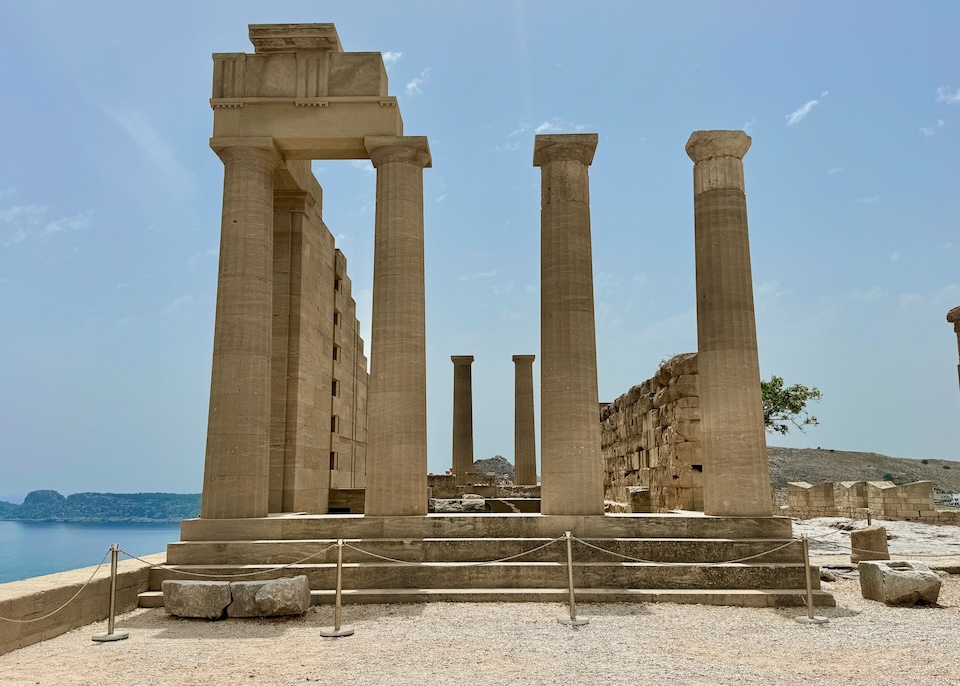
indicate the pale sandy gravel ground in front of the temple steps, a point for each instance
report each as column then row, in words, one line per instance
column 865, row 642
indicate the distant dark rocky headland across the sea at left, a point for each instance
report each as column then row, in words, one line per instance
column 51, row 506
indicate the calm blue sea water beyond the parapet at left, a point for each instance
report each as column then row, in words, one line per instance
column 35, row 548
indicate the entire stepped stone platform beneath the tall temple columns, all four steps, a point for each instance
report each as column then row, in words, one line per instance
column 677, row 557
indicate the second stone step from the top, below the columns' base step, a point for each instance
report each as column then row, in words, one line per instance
column 480, row 549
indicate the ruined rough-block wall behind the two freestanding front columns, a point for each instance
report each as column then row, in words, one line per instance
column 650, row 439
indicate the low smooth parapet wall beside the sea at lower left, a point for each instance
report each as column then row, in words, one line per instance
column 36, row 597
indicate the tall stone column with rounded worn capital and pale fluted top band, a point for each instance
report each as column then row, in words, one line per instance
column 736, row 475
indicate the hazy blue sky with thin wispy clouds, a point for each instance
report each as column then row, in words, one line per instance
column 110, row 205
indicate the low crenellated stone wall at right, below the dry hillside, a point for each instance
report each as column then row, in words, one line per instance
column 883, row 499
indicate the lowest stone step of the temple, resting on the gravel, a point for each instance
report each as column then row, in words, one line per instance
column 794, row 597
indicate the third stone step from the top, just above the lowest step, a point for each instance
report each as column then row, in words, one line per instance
column 513, row 575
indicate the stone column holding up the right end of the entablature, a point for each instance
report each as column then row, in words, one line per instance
column 397, row 396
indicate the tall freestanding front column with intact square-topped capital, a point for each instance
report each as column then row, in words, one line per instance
column 571, row 469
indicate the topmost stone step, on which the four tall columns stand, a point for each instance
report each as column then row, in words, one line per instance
column 514, row 525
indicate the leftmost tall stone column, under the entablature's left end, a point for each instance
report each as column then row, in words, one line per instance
column 237, row 462
